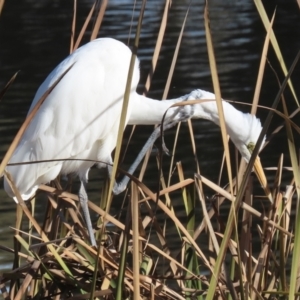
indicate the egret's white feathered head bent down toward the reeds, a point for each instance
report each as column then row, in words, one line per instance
column 244, row 133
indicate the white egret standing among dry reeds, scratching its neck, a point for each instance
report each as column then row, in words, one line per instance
column 80, row 119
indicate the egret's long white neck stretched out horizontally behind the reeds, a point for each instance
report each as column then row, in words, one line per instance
column 149, row 111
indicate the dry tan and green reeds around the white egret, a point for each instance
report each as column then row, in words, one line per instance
column 235, row 245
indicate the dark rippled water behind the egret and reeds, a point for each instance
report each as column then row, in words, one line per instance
column 35, row 36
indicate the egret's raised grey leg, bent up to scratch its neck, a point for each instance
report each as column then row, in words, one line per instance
column 121, row 186
